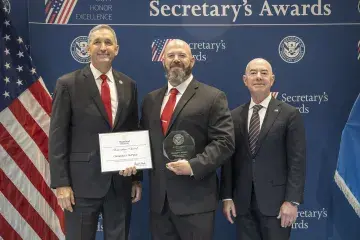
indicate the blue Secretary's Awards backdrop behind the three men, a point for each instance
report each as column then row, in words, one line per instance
column 312, row 45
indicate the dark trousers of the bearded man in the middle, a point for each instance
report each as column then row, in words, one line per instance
column 168, row 226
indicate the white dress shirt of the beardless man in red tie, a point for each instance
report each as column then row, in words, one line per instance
column 111, row 81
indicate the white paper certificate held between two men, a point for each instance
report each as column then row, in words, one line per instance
column 125, row 149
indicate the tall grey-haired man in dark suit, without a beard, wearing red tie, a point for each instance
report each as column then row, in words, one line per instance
column 95, row 99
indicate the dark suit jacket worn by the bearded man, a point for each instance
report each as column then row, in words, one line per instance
column 203, row 112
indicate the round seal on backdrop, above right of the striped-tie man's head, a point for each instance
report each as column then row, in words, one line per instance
column 291, row 49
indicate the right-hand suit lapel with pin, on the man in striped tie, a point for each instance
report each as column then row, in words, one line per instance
column 270, row 117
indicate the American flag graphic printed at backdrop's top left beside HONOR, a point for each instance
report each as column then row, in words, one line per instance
column 59, row 11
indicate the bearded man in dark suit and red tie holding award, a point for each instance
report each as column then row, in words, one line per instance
column 184, row 192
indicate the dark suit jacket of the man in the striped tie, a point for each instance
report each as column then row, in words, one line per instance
column 278, row 167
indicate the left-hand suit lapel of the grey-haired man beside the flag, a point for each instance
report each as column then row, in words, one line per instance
column 89, row 81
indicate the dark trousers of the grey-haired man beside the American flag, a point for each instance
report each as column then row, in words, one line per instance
column 115, row 208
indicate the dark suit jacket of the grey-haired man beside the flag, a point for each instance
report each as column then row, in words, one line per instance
column 78, row 116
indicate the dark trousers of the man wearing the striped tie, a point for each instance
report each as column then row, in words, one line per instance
column 256, row 226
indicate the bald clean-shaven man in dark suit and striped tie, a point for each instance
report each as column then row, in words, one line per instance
column 263, row 183
